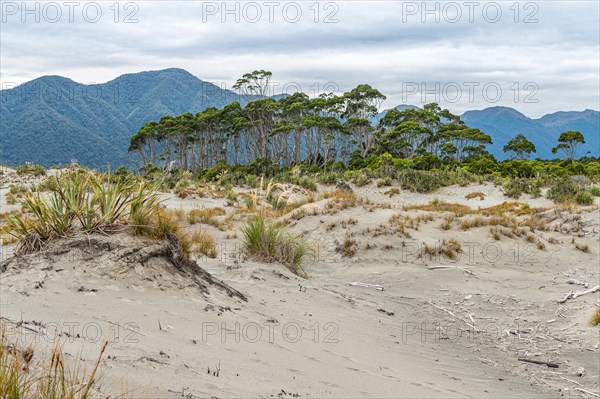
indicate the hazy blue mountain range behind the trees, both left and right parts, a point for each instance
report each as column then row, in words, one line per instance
column 52, row 119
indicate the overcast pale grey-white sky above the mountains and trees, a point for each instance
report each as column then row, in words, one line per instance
column 538, row 57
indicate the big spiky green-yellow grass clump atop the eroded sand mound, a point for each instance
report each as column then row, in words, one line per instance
column 82, row 201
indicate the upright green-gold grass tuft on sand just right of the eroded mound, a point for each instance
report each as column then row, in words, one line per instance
column 269, row 242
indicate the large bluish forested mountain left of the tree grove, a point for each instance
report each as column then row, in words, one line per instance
column 52, row 120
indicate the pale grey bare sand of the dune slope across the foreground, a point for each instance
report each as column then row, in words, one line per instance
column 360, row 350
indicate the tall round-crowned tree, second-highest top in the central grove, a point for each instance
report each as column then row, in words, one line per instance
column 362, row 104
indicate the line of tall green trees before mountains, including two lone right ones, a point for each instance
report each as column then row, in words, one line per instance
column 296, row 129
